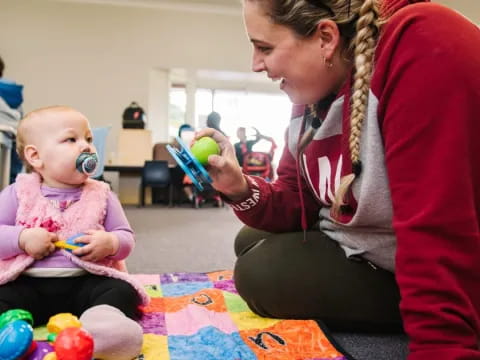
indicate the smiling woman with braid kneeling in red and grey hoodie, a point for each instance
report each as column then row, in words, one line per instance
column 382, row 158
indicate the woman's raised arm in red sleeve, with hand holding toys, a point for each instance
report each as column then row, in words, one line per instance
column 273, row 207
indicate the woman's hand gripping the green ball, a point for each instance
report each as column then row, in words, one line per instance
column 224, row 169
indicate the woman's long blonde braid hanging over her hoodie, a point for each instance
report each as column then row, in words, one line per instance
column 365, row 42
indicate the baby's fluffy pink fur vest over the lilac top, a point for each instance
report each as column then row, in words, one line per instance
column 34, row 210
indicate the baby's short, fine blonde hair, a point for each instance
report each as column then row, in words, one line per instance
column 24, row 128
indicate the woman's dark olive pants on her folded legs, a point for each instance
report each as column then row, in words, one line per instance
column 281, row 276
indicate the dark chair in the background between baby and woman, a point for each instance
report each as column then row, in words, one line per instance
column 156, row 174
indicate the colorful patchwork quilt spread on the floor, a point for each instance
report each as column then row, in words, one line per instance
column 200, row 316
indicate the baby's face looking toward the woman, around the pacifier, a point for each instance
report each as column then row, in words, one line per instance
column 60, row 137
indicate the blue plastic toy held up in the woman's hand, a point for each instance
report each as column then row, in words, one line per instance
column 190, row 165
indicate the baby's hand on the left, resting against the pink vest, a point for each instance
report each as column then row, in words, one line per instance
column 37, row 242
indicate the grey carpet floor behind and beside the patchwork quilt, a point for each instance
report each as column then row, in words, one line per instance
column 199, row 240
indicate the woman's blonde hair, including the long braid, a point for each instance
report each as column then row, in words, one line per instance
column 359, row 24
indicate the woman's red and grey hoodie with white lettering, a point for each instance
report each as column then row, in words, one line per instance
column 416, row 205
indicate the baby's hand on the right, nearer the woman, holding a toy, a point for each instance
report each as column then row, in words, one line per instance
column 99, row 244
